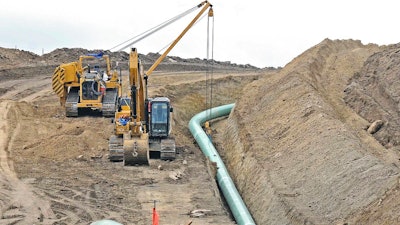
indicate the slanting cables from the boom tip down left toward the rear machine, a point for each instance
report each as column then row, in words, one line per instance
column 152, row 30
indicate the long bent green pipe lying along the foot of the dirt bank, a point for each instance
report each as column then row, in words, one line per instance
column 228, row 188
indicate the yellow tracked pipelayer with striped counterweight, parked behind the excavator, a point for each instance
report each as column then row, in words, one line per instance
column 93, row 86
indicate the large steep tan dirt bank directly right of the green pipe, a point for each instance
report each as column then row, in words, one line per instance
column 290, row 150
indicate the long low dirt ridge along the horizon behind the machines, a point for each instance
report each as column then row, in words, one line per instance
column 15, row 63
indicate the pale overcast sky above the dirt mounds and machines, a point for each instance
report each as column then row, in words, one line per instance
column 261, row 33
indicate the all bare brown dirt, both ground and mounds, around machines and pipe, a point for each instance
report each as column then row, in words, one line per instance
column 297, row 143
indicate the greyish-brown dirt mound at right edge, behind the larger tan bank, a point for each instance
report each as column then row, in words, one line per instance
column 374, row 93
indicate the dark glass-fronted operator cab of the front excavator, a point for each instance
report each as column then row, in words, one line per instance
column 160, row 120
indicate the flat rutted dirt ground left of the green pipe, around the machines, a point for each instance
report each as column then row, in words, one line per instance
column 54, row 170
